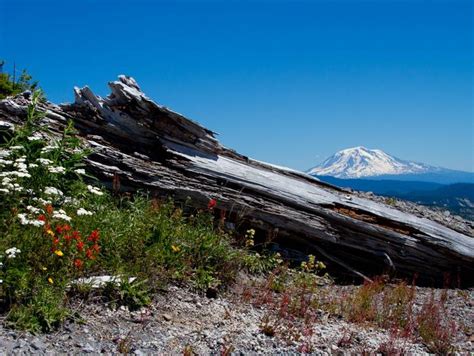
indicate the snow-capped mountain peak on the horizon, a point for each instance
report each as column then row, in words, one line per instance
column 358, row 162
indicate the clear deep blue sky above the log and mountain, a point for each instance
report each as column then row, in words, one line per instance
column 289, row 82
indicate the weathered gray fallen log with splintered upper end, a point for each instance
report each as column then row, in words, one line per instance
column 149, row 147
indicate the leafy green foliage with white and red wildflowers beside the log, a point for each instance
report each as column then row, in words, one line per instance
column 55, row 228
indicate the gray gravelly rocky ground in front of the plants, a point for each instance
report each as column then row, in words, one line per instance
column 182, row 322
